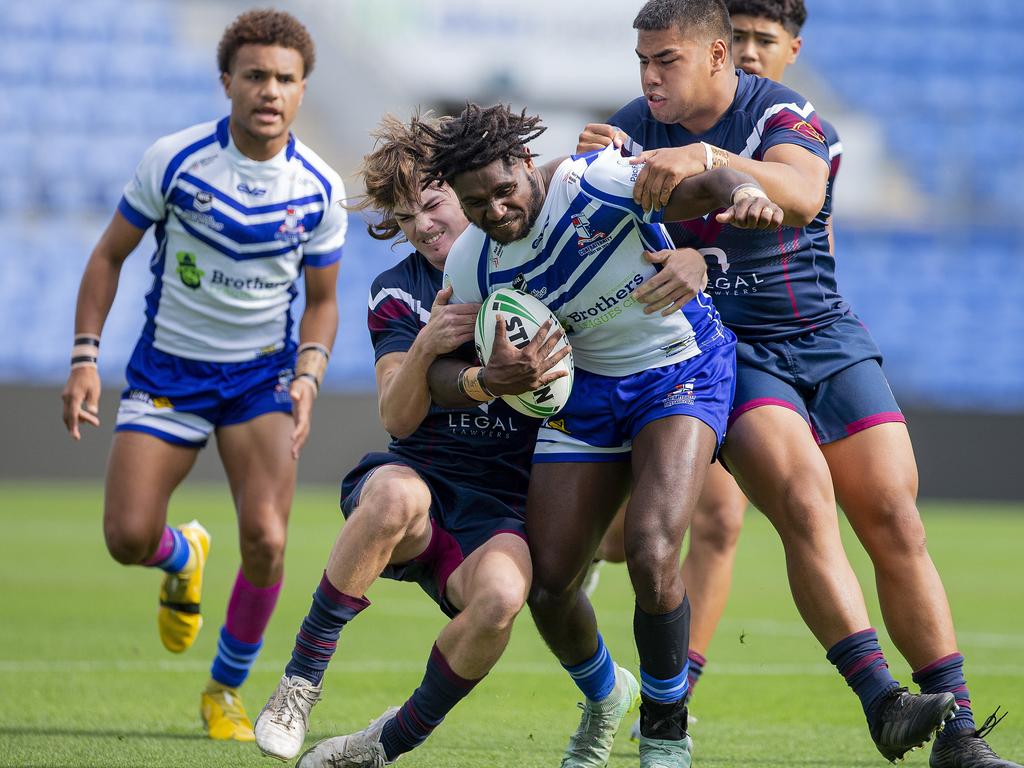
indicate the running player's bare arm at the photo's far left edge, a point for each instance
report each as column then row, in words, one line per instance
column 96, row 295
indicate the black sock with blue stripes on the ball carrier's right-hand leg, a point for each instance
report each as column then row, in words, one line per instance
column 663, row 644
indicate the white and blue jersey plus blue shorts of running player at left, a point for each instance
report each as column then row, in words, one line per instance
column 233, row 237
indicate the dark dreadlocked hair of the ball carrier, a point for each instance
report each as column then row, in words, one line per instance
column 475, row 140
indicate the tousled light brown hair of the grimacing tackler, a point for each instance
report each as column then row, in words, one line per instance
column 393, row 174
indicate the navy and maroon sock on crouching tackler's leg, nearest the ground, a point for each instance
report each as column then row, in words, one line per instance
column 441, row 691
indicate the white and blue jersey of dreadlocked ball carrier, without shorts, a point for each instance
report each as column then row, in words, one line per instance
column 584, row 259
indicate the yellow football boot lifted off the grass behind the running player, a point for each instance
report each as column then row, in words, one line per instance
column 179, row 619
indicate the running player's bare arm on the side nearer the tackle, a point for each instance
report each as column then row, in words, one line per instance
column 317, row 332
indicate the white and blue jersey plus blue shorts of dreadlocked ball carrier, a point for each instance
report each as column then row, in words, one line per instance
column 584, row 259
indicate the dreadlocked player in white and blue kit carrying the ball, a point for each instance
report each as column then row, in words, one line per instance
column 649, row 406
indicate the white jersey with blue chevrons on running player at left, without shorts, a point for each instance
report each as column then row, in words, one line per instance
column 233, row 236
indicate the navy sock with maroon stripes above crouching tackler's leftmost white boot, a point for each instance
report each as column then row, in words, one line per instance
column 318, row 637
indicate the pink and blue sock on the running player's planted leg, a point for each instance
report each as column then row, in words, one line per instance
column 249, row 612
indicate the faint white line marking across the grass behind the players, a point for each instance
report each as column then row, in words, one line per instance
column 726, row 669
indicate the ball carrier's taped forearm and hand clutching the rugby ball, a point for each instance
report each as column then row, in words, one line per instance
column 510, row 371
